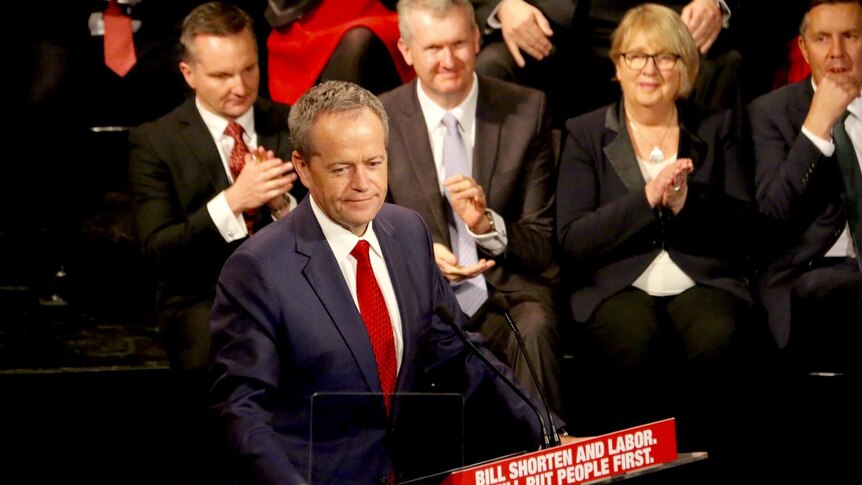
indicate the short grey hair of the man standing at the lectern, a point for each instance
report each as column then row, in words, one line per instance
column 328, row 98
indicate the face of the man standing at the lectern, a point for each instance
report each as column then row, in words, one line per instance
column 347, row 173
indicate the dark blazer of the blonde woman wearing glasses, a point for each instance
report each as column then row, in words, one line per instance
column 607, row 228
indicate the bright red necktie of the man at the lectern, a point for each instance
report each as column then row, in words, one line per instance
column 372, row 307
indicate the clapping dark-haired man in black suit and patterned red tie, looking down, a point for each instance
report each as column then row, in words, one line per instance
column 198, row 193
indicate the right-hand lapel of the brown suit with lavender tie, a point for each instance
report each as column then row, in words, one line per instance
column 489, row 122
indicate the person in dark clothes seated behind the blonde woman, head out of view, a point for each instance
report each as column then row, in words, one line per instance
column 537, row 42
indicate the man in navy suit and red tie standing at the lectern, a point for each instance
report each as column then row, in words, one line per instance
column 338, row 302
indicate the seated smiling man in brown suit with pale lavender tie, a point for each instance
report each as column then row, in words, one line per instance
column 504, row 198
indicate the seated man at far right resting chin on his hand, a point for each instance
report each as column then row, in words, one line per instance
column 811, row 285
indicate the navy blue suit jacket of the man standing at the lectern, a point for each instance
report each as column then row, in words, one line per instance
column 286, row 329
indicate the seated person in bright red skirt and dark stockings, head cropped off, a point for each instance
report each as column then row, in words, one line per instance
column 318, row 40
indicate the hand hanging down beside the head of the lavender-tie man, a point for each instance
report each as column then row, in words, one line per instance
column 524, row 29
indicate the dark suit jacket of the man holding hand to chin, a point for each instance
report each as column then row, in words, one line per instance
column 798, row 188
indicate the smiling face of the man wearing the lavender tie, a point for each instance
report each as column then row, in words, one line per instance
column 443, row 51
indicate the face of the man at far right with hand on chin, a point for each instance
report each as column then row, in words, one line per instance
column 832, row 41
